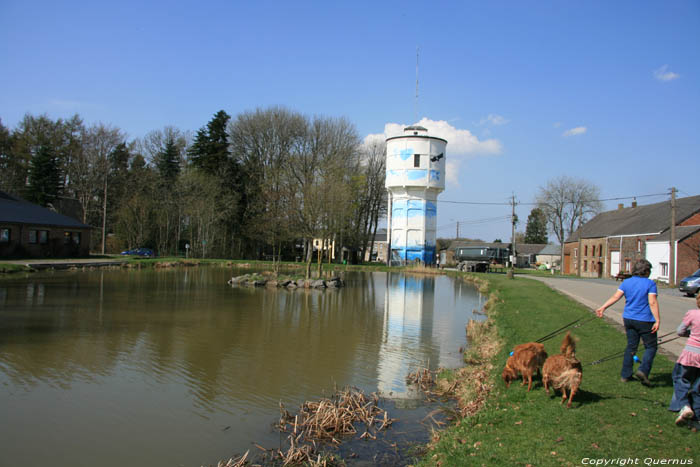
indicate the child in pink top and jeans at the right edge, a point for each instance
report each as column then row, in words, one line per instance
column 686, row 373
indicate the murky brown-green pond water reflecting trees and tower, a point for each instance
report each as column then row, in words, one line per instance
column 175, row 367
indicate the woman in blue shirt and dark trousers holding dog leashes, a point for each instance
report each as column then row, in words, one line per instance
column 641, row 318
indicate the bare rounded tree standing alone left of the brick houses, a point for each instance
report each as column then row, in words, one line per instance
column 567, row 203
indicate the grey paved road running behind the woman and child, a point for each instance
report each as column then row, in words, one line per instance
column 672, row 304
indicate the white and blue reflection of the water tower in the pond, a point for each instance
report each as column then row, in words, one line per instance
column 407, row 335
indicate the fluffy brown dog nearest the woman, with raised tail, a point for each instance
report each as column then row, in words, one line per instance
column 563, row 371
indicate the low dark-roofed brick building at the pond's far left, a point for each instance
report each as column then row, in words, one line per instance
column 29, row 230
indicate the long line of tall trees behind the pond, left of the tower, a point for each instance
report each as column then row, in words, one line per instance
column 264, row 183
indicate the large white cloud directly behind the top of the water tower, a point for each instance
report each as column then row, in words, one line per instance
column 461, row 143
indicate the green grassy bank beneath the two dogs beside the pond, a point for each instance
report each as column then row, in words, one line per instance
column 608, row 419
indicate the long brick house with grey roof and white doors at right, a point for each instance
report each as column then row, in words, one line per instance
column 611, row 242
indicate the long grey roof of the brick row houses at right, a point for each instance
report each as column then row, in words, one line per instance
column 647, row 219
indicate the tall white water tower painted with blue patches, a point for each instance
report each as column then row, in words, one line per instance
column 415, row 176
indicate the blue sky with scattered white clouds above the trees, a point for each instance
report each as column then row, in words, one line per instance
column 524, row 92
